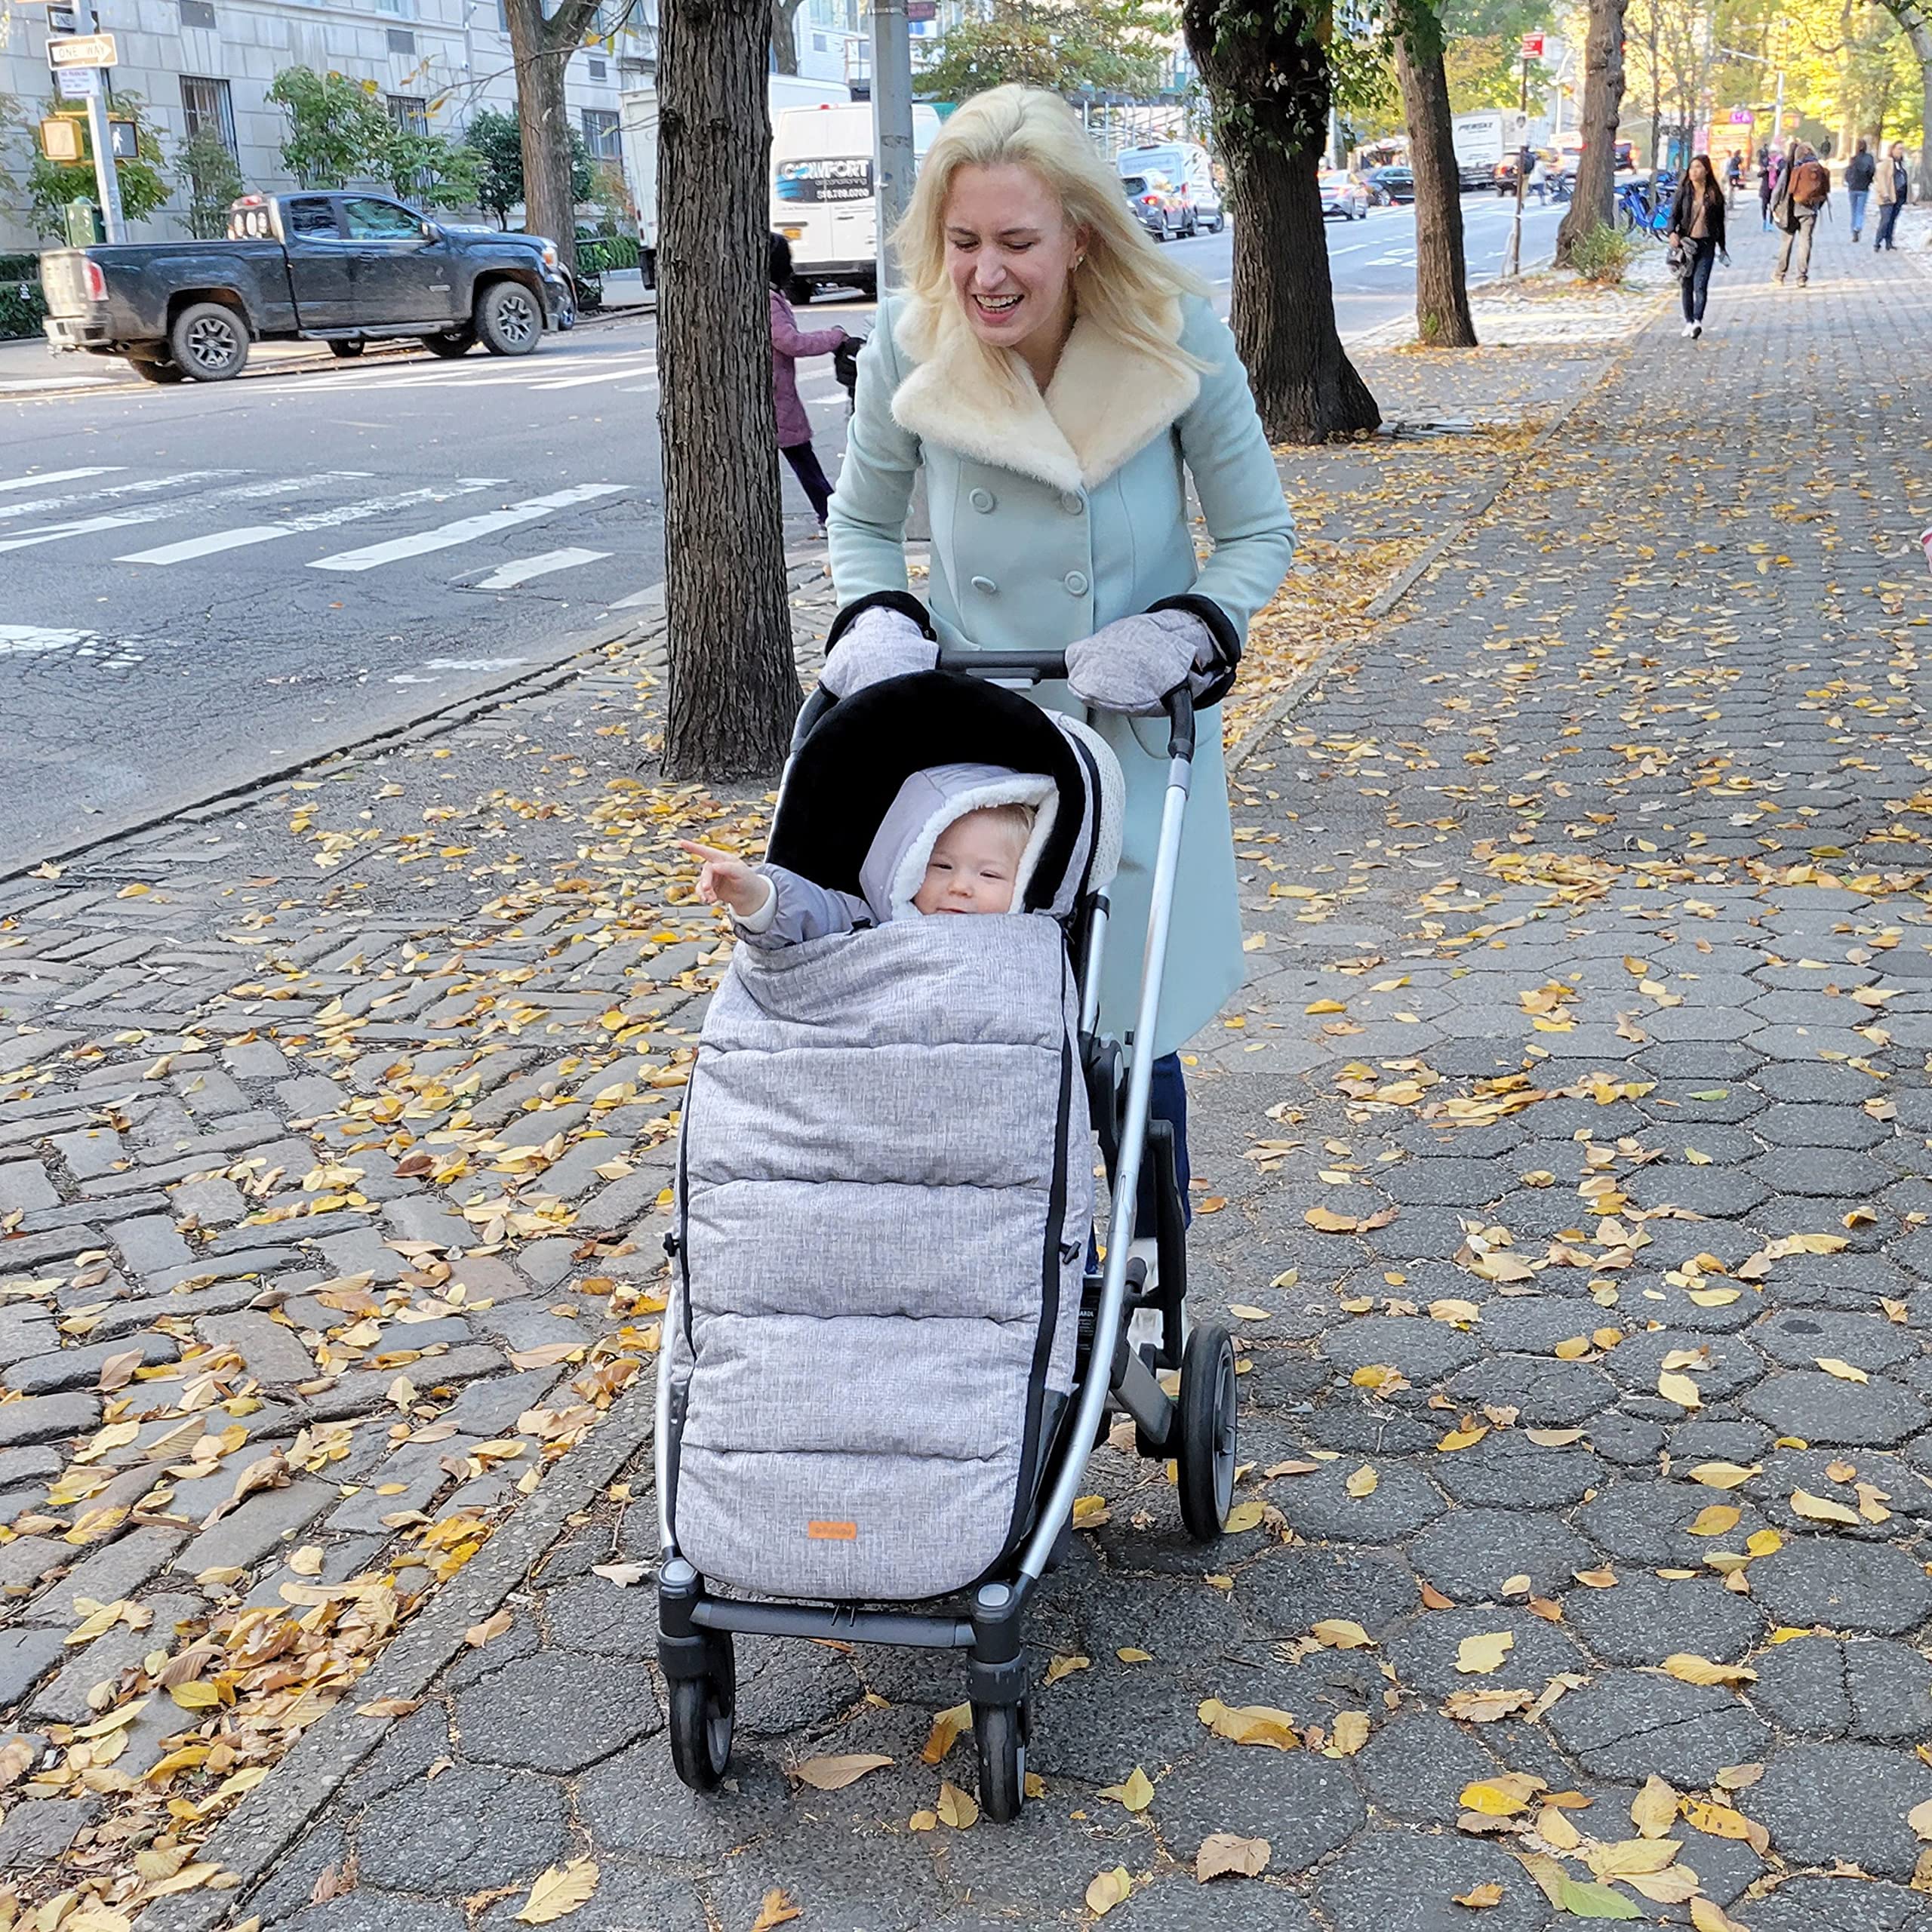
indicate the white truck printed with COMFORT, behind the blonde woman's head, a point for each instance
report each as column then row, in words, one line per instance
column 822, row 192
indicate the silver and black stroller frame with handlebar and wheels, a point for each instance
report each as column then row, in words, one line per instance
column 1197, row 1427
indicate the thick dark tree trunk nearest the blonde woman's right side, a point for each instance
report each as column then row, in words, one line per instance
column 1270, row 86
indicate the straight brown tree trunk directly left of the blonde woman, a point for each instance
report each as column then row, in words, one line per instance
column 733, row 685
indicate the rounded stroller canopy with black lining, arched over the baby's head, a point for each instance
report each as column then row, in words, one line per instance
column 853, row 764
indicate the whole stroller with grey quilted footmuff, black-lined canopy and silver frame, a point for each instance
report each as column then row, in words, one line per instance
column 888, row 1346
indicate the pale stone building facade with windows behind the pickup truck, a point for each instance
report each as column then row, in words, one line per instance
column 212, row 63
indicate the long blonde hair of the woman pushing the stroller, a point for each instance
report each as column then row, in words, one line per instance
column 1125, row 287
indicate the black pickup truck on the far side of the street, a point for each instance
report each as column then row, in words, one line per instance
column 337, row 268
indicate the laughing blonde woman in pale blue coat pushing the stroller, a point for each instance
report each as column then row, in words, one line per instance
column 1052, row 378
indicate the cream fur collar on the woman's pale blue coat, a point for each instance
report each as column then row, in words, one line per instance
column 1104, row 405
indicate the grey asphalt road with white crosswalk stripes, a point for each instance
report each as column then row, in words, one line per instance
column 212, row 582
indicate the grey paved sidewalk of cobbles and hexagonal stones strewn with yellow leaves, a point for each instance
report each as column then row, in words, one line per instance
column 1564, row 1170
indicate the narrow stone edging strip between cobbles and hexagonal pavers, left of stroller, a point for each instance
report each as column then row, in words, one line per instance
column 337, row 1744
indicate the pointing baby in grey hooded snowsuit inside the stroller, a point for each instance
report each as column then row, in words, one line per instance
column 955, row 839
